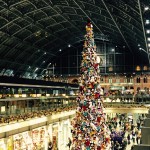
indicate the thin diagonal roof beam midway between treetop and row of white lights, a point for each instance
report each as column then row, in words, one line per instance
column 116, row 25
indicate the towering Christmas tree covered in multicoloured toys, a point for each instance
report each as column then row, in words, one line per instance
column 90, row 131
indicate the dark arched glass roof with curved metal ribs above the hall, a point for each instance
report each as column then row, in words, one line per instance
column 32, row 32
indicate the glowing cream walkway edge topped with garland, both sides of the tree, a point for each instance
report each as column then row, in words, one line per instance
column 12, row 124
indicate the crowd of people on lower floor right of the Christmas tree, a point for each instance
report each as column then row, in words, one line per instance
column 124, row 132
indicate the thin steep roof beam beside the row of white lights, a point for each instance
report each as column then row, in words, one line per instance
column 139, row 4
